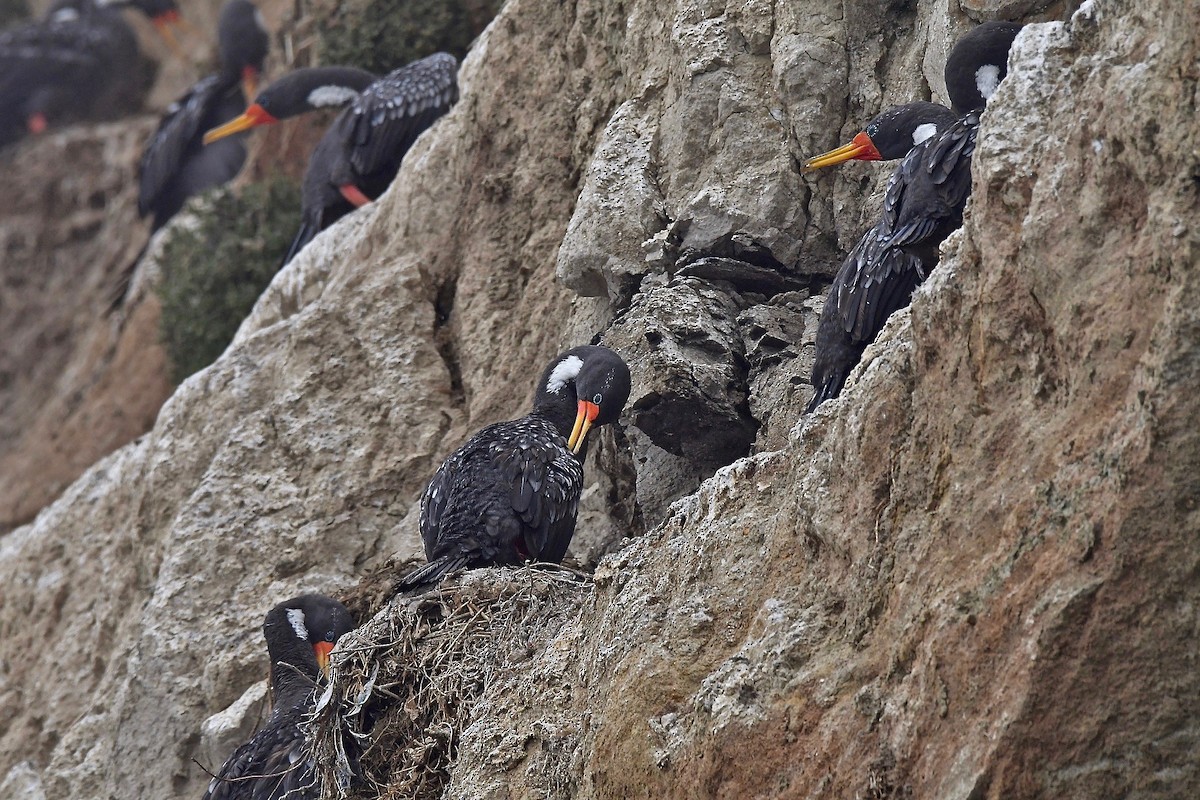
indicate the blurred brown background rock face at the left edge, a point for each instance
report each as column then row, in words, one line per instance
column 77, row 377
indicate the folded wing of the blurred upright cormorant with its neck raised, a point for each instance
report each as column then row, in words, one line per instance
column 178, row 131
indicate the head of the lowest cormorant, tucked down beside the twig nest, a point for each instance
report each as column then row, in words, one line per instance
column 302, row 633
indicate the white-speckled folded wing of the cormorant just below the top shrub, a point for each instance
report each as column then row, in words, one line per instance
column 389, row 116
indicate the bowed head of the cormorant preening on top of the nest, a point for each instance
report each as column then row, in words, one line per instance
column 595, row 380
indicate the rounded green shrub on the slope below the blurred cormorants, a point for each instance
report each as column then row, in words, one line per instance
column 214, row 273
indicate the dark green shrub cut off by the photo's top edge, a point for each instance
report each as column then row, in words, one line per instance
column 383, row 35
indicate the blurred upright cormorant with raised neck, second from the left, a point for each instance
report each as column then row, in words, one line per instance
column 176, row 165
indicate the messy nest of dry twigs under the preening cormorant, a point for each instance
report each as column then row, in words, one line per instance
column 404, row 685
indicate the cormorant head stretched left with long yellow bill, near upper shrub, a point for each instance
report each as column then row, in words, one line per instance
column 297, row 93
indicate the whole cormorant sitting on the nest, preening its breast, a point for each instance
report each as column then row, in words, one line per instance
column 512, row 494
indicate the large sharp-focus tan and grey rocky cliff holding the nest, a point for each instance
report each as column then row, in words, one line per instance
column 973, row 576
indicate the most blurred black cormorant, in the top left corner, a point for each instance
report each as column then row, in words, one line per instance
column 80, row 62
